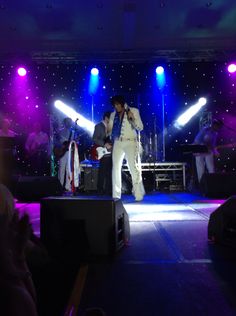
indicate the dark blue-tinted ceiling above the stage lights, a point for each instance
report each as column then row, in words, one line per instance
column 118, row 30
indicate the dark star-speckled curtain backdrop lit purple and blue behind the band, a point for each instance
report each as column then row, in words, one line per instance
column 32, row 99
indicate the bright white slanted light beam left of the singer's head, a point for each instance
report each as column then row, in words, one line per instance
column 70, row 112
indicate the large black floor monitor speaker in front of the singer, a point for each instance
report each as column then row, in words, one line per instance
column 93, row 227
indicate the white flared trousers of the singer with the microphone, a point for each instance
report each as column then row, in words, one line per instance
column 128, row 149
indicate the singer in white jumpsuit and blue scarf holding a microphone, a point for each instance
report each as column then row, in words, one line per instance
column 124, row 124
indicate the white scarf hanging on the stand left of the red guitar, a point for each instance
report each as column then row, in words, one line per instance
column 74, row 176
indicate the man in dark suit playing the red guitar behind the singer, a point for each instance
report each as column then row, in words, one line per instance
column 101, row 139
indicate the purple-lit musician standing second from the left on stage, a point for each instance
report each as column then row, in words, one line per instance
column 37, row 148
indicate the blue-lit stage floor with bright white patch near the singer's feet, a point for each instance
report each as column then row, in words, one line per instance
column 168, row 268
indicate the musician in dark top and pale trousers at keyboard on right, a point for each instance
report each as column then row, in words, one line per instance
column 207, row 136
